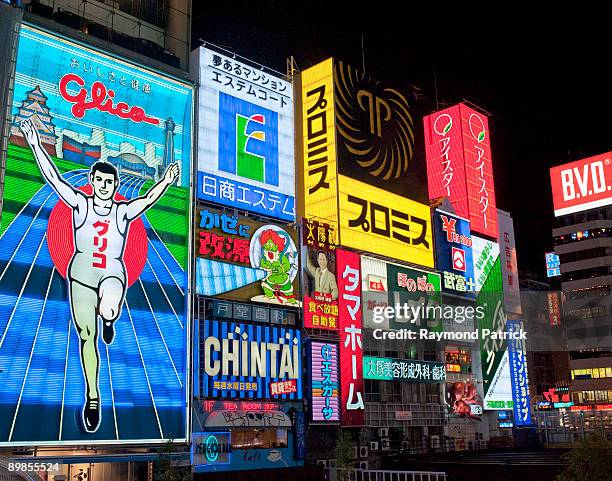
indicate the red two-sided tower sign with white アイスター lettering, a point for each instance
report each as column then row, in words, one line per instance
column 458, row 151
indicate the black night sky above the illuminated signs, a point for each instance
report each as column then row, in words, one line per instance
column 542, row 75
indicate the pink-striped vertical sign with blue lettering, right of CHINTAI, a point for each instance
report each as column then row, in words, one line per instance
column 325, row 385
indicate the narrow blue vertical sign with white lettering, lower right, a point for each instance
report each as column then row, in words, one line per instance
column 518, row 374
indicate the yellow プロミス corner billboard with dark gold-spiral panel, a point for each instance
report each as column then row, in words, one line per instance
column 357, row 174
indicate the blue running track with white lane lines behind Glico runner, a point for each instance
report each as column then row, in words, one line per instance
column 142, row 373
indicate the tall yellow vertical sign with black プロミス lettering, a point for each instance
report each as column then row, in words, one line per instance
column 319, row 175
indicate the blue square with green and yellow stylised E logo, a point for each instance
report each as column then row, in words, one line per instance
column 248, row 140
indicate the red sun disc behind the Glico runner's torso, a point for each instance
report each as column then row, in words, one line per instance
column 60, row 240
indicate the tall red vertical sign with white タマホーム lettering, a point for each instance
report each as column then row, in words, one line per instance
column 351, row 347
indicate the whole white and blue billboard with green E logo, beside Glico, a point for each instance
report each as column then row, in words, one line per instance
column 245, row 136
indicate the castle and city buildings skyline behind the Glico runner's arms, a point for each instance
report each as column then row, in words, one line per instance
column 81, row 149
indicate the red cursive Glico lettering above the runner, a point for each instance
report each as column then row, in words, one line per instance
column 101, row 99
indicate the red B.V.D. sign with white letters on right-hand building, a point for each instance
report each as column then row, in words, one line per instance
column 581, row 185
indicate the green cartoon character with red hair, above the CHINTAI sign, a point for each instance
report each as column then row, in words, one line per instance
column 274, row 252
